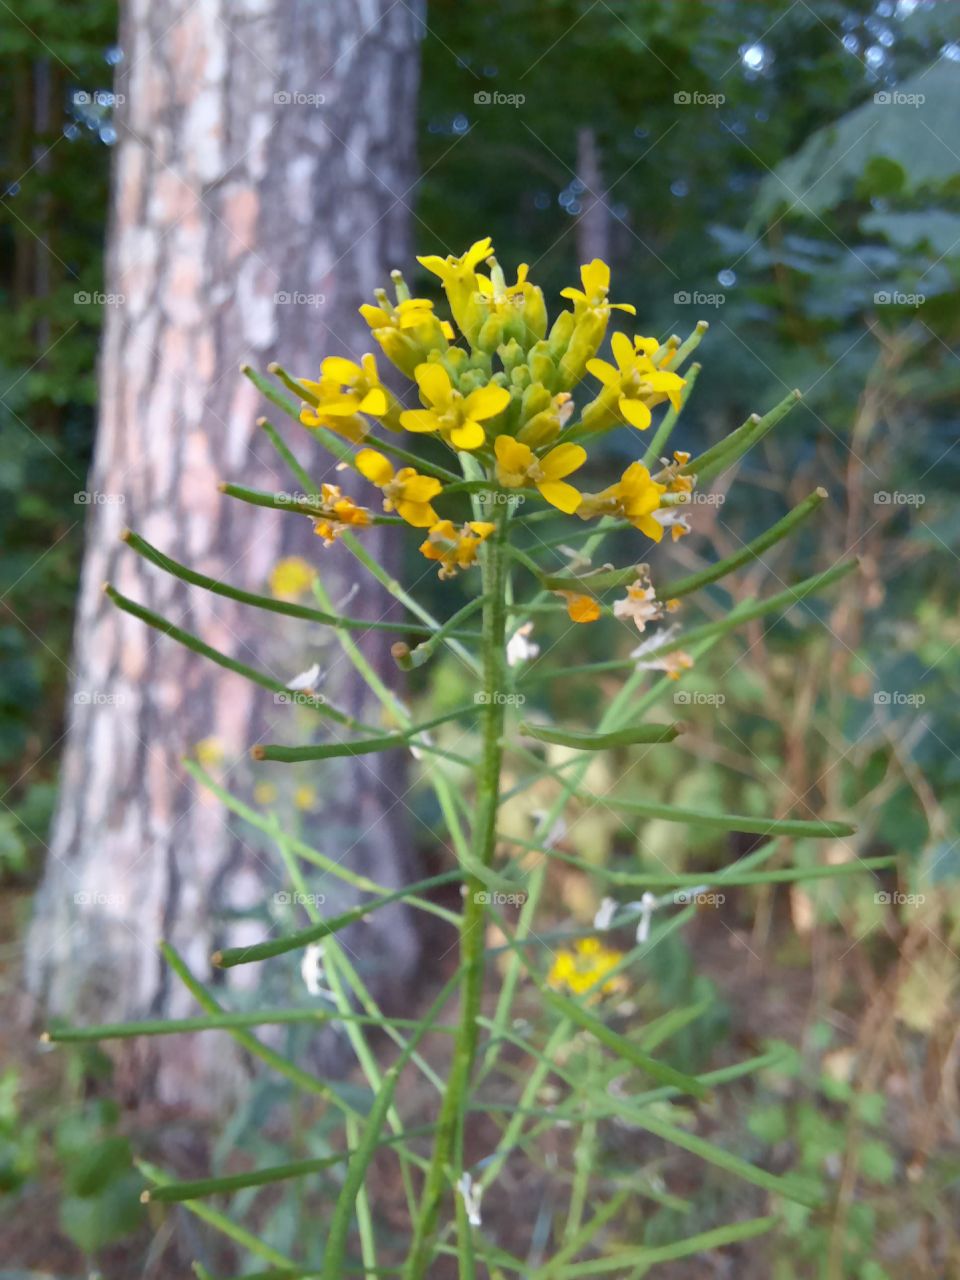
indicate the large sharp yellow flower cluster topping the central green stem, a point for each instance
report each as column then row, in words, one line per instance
column 496, row 382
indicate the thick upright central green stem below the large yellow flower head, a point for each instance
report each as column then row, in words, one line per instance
column 473, row 927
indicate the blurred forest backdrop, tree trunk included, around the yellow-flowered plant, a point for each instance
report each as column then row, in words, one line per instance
column 186, row 189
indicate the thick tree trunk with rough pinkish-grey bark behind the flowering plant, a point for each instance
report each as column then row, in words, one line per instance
column 266, row 152
